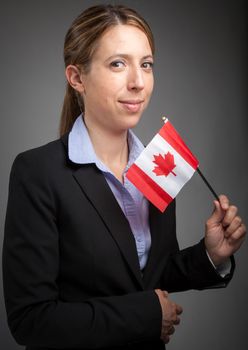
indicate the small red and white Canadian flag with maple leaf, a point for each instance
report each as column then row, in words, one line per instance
column 163, row 168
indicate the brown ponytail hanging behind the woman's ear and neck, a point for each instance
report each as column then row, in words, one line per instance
column 71, row 109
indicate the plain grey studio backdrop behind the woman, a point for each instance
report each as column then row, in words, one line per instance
column 201, row 84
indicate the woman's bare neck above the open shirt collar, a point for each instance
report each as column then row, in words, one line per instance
column 110, row 147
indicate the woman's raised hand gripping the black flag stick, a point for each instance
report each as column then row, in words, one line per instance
column 225, row 231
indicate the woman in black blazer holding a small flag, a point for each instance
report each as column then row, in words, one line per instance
column 88, row 262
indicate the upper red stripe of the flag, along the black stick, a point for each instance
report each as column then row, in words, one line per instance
column 173, row 138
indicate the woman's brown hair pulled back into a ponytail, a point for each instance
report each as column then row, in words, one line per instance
column 81, row 41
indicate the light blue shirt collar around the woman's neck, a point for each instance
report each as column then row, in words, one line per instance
column 81, row 150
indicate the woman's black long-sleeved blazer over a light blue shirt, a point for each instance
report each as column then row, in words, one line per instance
column 70, row 267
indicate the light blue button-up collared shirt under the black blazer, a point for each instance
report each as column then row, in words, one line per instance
column 133, row 204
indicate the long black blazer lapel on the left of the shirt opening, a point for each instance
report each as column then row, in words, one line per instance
column 95, row 187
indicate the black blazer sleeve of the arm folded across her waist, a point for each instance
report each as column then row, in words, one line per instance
column 36, row 314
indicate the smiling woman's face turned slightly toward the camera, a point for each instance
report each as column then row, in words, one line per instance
column 119, row 84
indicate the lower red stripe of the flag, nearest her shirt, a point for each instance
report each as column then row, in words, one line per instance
column 148, row 187
